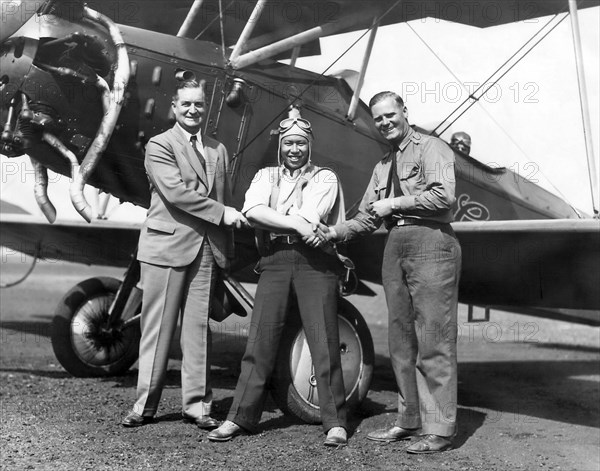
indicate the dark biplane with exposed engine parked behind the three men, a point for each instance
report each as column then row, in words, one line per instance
column 84, row 86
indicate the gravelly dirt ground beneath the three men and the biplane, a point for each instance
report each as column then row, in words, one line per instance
column 529, row 398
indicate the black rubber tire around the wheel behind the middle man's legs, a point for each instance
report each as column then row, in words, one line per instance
column 285, row 393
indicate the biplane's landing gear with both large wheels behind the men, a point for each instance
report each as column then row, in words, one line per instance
column 96, row 332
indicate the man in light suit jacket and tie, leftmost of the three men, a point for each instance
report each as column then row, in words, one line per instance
column 182, row 241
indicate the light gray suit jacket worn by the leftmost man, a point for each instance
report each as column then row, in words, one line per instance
column 187, row 203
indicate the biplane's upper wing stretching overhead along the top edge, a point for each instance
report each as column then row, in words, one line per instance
column 281, row 19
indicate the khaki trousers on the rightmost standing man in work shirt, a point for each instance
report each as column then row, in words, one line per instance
column 421, row 270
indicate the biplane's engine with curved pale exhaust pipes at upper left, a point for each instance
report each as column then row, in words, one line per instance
column 65, row 73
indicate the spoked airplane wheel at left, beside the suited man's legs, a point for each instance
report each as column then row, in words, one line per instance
column 82, row 341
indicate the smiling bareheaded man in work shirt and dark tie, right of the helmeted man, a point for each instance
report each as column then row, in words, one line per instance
column 412, row 191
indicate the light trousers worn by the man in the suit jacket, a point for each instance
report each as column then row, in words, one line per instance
column 168, row 291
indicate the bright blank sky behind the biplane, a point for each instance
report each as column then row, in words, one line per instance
column 535, row 126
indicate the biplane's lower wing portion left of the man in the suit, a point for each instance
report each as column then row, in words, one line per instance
column 100, row 243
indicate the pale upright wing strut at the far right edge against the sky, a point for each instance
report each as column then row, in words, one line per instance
column 585, row 113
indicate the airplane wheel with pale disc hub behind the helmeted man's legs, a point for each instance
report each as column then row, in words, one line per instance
column 294, row 388
